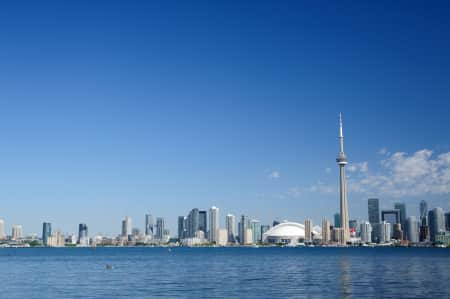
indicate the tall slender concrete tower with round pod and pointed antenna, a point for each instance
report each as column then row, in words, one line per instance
column 342, row 161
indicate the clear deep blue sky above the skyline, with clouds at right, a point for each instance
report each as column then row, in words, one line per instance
column 120, row 108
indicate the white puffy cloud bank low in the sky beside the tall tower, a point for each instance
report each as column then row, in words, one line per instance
column 398, row 175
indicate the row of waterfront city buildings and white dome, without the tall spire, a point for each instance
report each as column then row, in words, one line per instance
column 397, row 227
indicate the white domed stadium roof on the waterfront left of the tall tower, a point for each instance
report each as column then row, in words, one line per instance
column 286, row 233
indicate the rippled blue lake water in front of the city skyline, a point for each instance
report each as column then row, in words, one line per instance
column 225, row 273
